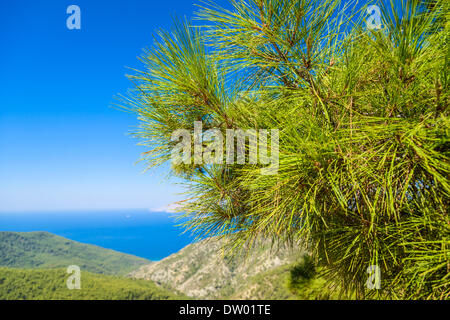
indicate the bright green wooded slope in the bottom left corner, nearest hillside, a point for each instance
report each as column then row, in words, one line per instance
column 19, row 284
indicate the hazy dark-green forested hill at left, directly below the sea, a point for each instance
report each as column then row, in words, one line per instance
column 29, row 250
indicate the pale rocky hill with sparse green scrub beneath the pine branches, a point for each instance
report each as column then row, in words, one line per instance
column 202, row 271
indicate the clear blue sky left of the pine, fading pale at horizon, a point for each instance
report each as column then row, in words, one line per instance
column 62, row 146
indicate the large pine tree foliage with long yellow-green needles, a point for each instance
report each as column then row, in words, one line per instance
column 363, row 124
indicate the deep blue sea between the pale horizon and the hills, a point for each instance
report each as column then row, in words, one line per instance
column 151, row 235
